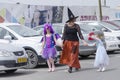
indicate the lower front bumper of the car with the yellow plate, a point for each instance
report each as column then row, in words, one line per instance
column 11, row 64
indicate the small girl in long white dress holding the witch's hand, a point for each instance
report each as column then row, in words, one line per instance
column 101, row 58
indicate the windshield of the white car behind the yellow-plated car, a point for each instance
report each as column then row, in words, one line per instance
column 23, row 31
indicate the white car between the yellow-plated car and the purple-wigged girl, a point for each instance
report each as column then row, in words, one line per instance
column 25, row 37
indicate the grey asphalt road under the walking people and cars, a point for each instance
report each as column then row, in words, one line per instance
column 87, row 72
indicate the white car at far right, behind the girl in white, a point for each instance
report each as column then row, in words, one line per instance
column 111, row 32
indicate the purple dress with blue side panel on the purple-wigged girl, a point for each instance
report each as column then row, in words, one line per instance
column 49, row 50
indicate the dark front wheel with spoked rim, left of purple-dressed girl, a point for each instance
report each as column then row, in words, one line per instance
column 32, row 59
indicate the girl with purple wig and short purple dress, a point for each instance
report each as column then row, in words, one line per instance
column 48, row 45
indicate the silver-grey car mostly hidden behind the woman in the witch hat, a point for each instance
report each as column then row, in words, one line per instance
column 85, row 51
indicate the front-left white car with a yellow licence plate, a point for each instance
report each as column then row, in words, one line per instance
column 11, row 57
